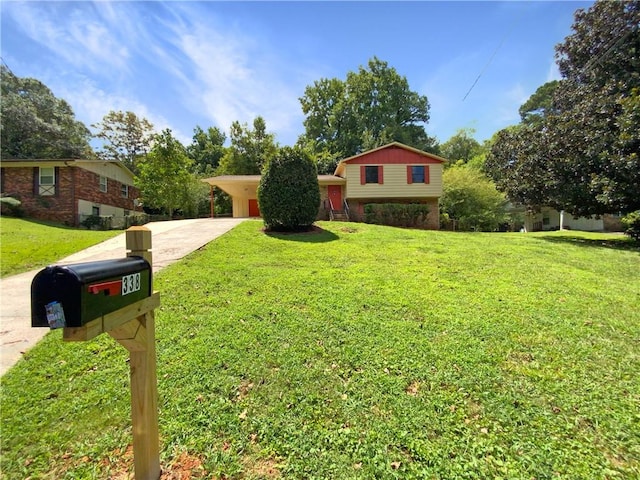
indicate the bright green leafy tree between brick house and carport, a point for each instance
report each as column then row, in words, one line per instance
column 165, row 179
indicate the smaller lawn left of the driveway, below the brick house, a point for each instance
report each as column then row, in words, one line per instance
column 28, row 244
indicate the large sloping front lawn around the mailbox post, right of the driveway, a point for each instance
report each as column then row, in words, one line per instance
column 361, row 352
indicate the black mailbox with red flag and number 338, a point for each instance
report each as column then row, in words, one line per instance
column 73, row 295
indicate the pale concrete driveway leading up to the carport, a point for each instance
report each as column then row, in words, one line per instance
column 170, row 242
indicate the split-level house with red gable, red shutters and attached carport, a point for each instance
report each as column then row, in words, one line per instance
column 393, row 173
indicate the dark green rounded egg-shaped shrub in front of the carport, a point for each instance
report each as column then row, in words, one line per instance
column 289, row 194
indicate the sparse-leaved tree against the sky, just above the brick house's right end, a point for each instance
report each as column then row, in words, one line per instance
column 126, row 137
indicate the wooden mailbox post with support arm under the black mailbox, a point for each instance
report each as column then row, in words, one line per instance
column 134, row 328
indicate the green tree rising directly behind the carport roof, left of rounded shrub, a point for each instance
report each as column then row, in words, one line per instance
column 250, row 149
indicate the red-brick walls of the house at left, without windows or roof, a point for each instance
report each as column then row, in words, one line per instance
column 72, row 183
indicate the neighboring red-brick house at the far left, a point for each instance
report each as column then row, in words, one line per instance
column 68, row 191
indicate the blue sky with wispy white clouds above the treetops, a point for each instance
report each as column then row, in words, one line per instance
column 182, row 64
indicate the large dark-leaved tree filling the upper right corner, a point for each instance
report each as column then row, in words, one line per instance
column 583, row 153
